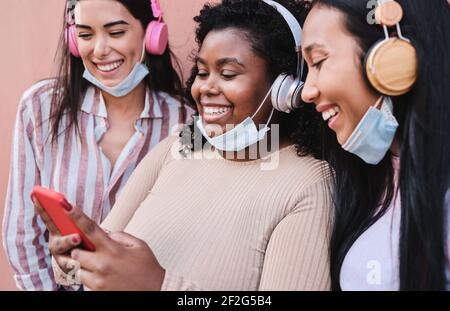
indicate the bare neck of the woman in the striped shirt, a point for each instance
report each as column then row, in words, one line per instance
column 130, row 103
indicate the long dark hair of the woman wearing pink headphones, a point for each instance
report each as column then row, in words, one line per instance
column 70, row 85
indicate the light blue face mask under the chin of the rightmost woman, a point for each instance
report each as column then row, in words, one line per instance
column 373, row 136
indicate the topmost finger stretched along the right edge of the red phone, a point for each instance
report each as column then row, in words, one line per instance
column 89, row 227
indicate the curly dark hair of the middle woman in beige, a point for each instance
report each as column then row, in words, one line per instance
column 272, row 40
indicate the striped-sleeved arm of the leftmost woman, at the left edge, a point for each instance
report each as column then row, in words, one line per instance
column 23, row 231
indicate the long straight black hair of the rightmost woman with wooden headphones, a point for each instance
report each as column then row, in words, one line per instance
column 363, row 192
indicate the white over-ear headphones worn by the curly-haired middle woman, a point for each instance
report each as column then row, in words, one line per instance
column 287, row 89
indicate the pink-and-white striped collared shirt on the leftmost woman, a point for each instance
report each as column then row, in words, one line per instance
column 75, row 166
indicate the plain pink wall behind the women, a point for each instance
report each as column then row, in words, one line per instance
column 29, row 31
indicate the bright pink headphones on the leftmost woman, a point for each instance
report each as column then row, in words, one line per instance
column 156, row 34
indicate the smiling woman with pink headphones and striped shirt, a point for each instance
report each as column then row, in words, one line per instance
column 82, row 133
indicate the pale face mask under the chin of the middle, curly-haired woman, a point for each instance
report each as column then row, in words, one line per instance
column 241, row 136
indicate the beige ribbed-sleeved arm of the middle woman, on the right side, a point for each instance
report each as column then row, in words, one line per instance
column 297, row 252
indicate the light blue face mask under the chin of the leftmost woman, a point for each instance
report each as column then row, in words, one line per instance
column 139, row 72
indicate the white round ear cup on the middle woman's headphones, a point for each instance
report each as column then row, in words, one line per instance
column 286, row 93
